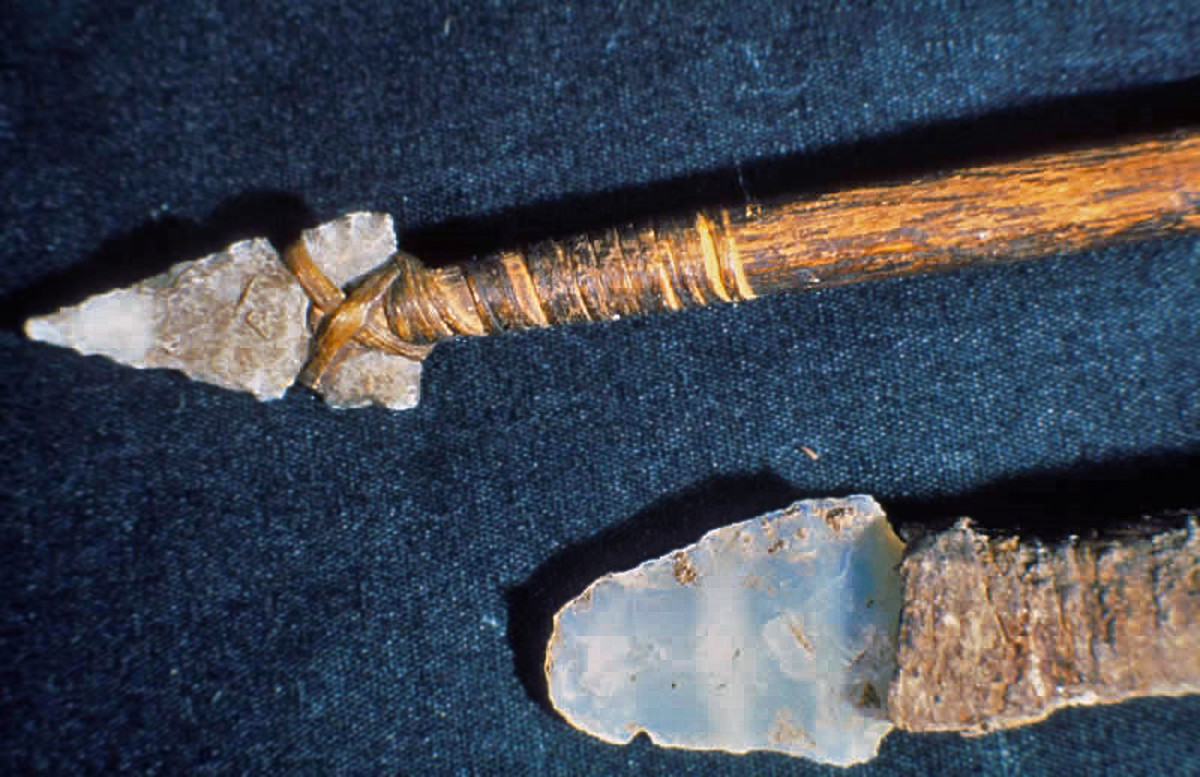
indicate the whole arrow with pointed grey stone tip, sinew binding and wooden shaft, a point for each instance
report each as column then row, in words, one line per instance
column 238, row 318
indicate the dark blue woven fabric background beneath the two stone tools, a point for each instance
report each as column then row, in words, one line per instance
column 195, row 583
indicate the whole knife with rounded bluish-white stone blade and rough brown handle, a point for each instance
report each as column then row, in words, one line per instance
column 814, row 633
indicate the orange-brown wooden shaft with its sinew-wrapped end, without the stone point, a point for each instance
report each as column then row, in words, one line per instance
column 1023, row 209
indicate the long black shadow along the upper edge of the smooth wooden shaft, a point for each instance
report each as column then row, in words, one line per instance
column 1036, row 128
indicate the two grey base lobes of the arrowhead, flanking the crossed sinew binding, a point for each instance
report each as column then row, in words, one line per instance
column 346, row 250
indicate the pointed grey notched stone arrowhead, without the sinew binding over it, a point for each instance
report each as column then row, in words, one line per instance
column 238, row 320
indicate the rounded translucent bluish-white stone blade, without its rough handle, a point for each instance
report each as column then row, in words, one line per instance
column 775, row 634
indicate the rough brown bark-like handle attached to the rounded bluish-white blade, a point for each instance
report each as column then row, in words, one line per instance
column 998, row 634
